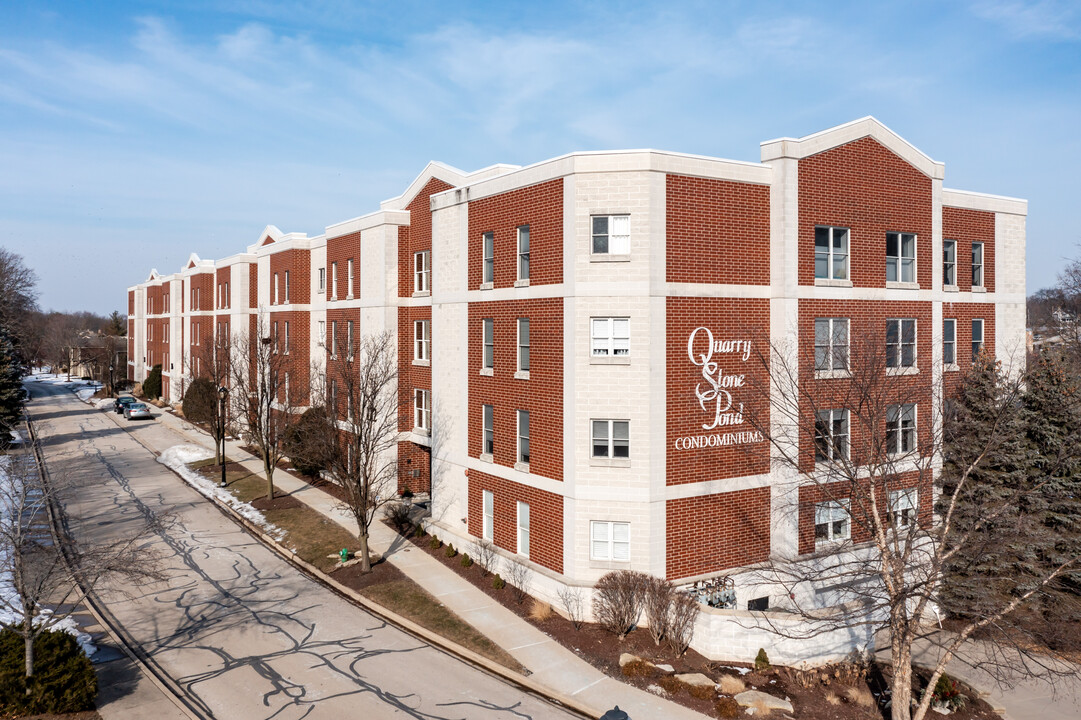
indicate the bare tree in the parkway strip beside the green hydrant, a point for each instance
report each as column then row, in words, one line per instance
column 359, row 451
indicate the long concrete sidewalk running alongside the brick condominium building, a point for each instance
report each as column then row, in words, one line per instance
column 549, row 662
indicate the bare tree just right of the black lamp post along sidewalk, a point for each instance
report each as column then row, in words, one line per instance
column 263, row 393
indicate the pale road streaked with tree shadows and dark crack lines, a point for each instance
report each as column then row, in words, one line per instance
column 245, row 634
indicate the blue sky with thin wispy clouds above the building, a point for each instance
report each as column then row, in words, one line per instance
column 132, row 135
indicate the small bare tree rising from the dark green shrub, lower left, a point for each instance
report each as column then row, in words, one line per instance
column 44, row 563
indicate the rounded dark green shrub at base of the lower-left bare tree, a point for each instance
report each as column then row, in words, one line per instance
column 63, row 682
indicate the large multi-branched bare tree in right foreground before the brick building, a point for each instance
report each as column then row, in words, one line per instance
column 879, row 516
